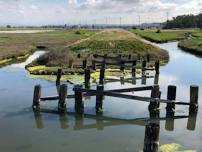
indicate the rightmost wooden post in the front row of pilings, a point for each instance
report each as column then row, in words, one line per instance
column 194, row 91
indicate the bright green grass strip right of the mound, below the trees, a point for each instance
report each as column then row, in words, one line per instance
column 163, row 35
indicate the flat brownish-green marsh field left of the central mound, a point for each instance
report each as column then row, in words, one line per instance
column 13, row 46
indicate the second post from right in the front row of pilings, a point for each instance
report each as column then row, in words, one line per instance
column 171, row 96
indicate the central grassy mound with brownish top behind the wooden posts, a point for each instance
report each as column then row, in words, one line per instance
column 111, row 42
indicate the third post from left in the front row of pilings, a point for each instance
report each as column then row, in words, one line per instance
column 79, row 105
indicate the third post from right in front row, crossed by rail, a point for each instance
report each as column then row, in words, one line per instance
column 154, row 94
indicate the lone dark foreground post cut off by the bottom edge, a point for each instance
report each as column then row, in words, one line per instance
column 151, row 140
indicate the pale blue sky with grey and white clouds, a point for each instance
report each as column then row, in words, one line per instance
column 43, row 12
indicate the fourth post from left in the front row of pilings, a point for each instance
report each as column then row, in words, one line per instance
column 99, row 98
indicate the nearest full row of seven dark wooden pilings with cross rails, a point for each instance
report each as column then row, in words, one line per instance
column 154, row 101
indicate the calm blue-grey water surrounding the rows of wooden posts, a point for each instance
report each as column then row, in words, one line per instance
column 21, row 130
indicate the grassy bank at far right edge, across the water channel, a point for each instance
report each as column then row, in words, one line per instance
column 193, row 44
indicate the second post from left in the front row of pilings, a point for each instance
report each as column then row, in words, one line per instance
column 62, row 98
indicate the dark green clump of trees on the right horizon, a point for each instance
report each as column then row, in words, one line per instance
column 185, row 21
